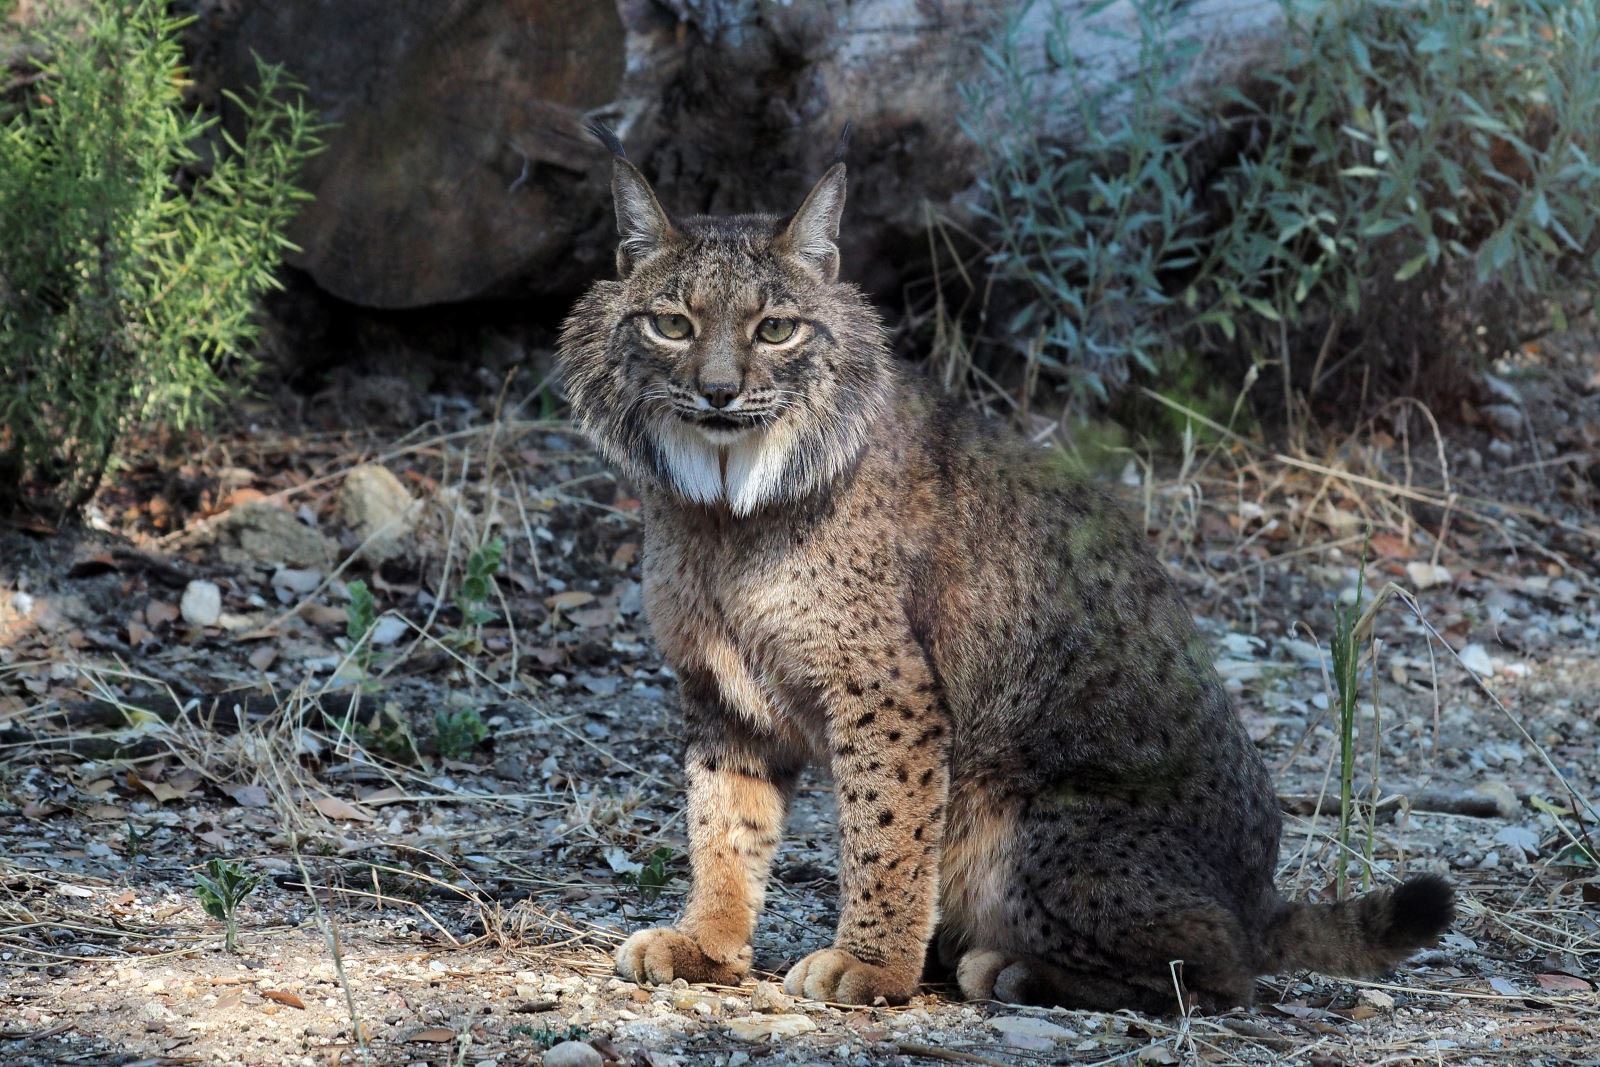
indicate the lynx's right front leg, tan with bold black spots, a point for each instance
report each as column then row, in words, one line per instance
column 890, row 743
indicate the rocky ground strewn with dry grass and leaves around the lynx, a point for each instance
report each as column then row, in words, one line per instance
column 460, row 801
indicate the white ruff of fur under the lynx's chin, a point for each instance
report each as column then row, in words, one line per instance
column 745, row 474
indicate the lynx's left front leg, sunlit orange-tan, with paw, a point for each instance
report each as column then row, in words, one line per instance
column 738, row 793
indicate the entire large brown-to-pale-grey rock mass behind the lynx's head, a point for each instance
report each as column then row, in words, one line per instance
column 460, row 169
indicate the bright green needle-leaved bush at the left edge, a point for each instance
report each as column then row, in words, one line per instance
column 132, row 262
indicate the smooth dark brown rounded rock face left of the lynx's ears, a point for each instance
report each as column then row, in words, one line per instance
column 458, row 150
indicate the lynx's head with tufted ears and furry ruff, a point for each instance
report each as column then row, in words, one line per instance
column 729, row 364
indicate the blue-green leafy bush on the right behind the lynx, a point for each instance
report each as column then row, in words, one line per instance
column 1412, row 169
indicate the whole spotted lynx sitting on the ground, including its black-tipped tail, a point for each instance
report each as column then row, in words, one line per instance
column 1041, row 780
